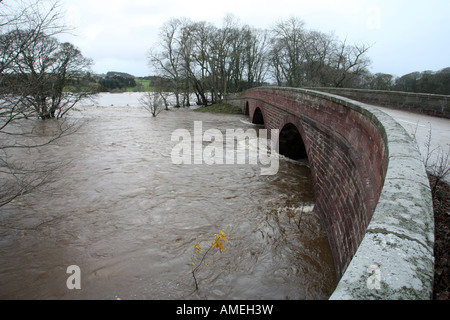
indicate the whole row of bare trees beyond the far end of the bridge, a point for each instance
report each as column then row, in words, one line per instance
column 210, row 62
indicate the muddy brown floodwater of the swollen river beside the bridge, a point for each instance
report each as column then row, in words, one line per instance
column 129, row 218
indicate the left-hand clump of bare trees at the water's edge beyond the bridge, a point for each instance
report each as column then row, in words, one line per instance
column 199, row 58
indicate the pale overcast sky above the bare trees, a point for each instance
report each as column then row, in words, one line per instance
column 407, row 35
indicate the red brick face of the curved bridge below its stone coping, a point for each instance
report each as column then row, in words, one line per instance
column 347, row 154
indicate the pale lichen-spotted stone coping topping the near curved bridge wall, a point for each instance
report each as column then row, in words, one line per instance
column 395, row 258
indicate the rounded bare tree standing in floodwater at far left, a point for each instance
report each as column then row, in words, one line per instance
column 42, row 71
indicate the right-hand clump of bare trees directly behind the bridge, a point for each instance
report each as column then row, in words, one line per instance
column 301, row 57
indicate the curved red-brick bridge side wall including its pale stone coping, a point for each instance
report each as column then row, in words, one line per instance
column 371, row 190
